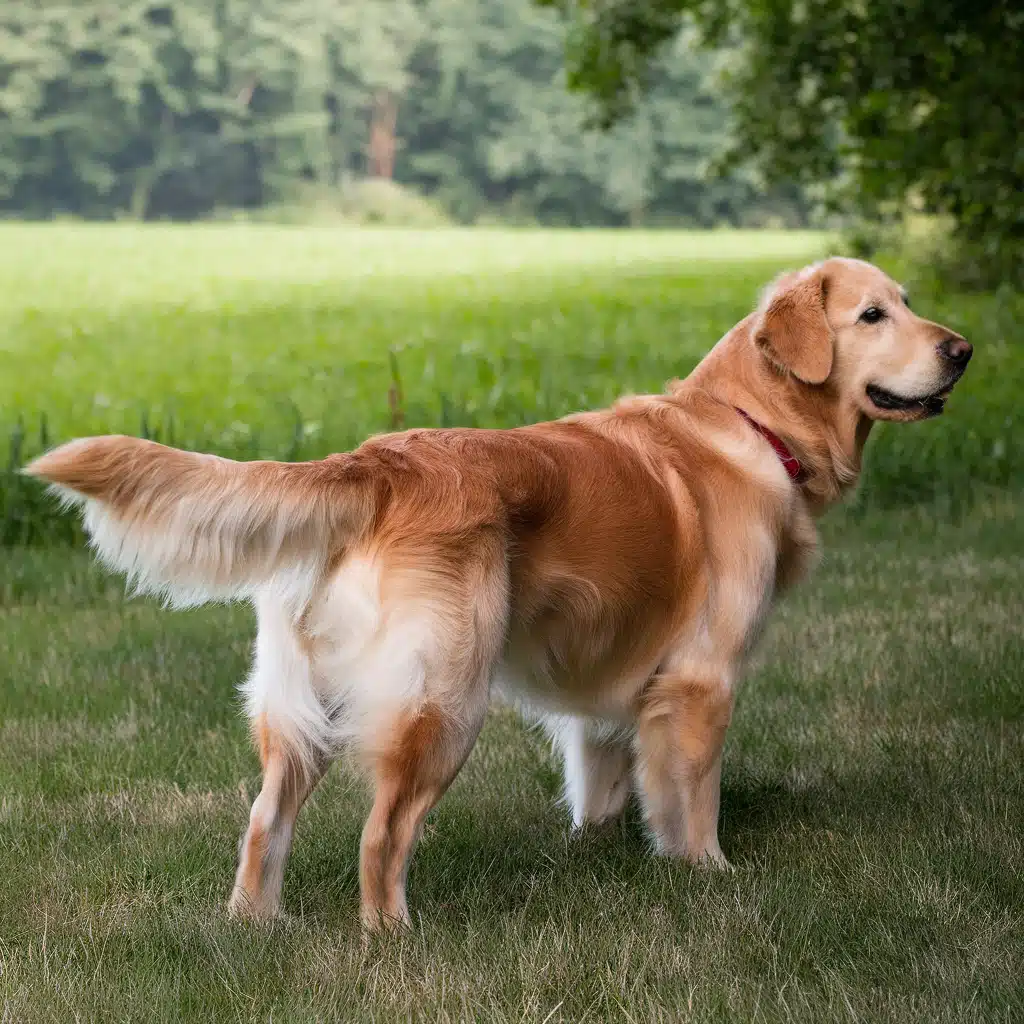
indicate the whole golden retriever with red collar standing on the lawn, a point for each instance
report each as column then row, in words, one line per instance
column 610, row 571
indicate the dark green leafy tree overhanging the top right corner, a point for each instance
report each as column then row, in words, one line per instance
column 900, row 101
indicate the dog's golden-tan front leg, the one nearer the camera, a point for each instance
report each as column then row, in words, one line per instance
column 680, row 736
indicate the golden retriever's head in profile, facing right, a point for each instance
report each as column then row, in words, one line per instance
column 847, row 323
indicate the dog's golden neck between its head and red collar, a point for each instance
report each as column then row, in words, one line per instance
column 827, row 435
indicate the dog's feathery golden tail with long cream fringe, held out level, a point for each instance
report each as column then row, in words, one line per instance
column 197, row 528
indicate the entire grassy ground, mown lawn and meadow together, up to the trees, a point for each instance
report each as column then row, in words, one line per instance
column 874, row 788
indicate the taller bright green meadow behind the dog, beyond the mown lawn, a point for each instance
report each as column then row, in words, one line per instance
column 265, row 342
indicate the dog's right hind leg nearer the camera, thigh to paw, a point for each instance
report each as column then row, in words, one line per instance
column 454, row 609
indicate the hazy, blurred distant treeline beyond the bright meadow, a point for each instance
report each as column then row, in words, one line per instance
column 137, row 108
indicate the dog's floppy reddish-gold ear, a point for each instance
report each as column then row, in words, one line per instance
column 793, row 331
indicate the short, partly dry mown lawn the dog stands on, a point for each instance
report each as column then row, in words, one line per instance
column 873, row 803
